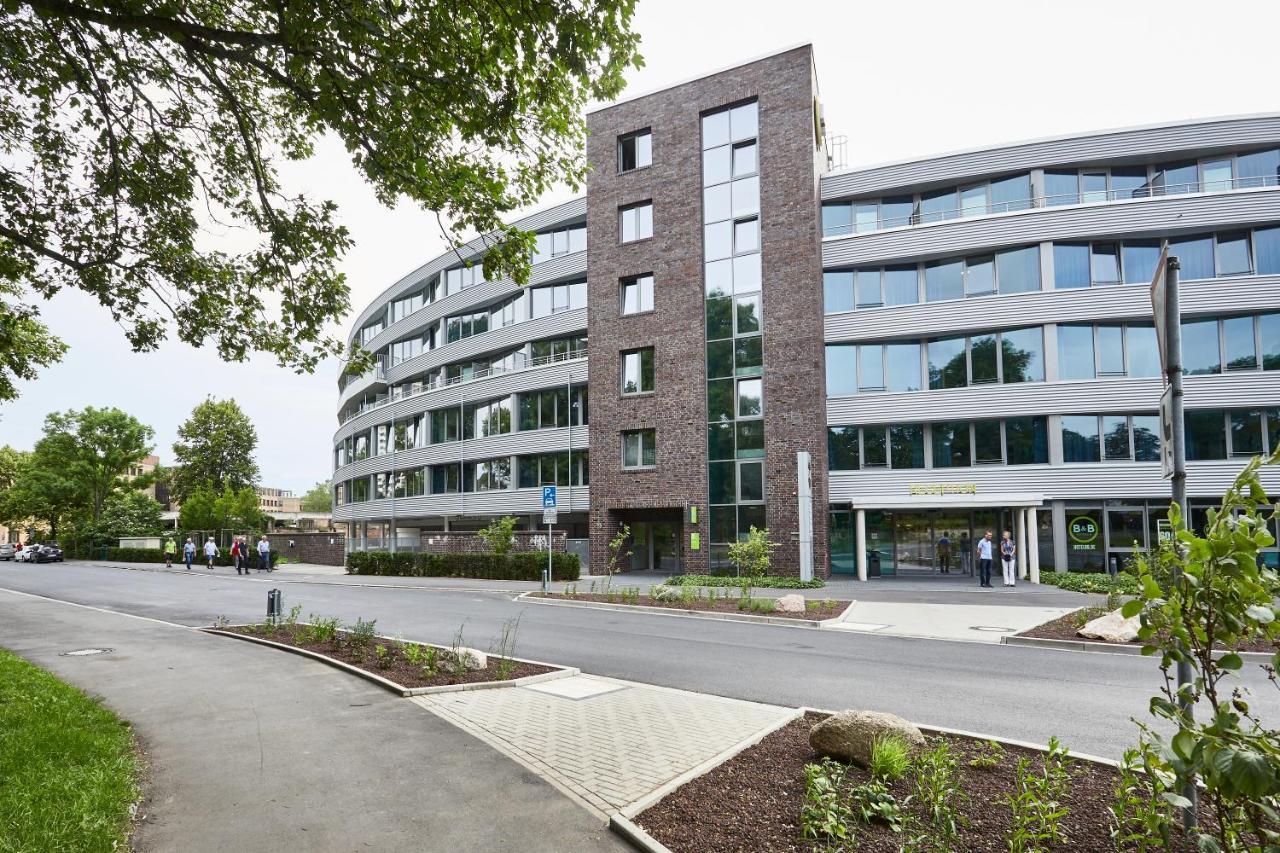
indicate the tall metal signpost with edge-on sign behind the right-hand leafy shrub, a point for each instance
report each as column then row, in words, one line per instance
column 1169, row 334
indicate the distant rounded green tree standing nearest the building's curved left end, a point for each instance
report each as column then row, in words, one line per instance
column 214, row 450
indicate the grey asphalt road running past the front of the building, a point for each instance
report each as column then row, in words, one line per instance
column 1087, row 700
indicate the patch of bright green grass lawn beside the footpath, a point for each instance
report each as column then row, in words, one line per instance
column 68, row 773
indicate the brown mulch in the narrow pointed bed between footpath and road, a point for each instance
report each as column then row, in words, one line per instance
column 396, row 669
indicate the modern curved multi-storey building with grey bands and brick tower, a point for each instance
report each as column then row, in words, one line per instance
column 877, row 364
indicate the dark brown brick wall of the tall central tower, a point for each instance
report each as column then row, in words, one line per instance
column 794, row 387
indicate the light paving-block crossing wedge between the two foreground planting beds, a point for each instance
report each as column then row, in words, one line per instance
column 606, row 742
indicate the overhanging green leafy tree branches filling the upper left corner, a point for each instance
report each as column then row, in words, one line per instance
column 139, row 129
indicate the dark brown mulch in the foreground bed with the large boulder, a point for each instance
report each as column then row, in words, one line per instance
column 753, row 802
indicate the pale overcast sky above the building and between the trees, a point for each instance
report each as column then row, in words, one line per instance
column 899, row 80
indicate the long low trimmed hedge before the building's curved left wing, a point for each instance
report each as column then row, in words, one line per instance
column 525, row 565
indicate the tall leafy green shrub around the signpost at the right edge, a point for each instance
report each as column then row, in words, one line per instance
column 1201, row 599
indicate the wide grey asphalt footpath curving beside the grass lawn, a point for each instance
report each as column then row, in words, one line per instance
column 257, row 750
